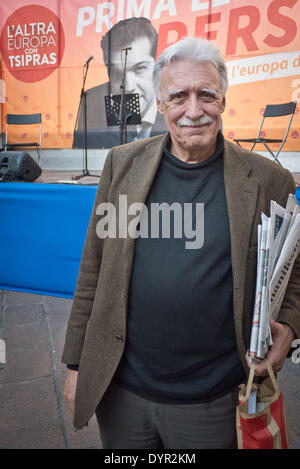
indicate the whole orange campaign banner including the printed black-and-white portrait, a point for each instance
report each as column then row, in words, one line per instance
column 48, row 46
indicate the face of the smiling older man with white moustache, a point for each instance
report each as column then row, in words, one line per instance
column 191, row 102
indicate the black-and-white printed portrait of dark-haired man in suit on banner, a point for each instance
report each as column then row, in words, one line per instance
column 129, row 51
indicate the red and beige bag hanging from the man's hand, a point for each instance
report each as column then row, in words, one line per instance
column 266, row 428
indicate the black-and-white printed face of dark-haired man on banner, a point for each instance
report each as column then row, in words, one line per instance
column 139, row 69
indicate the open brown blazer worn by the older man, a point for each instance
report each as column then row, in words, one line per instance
column 96, row 330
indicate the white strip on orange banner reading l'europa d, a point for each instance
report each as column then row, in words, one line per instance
column 264, row 67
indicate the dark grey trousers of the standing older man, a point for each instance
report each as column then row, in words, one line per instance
column 128, row 421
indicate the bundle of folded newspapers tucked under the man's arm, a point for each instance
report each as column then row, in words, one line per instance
column 278, row 247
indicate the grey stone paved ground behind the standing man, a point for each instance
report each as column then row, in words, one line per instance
column 33, row 413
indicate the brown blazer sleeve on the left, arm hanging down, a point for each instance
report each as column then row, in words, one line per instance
column 87, row 277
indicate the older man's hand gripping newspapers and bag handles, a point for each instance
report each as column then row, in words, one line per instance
column 283, row 337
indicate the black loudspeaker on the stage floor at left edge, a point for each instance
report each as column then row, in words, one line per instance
column 18, row 166
